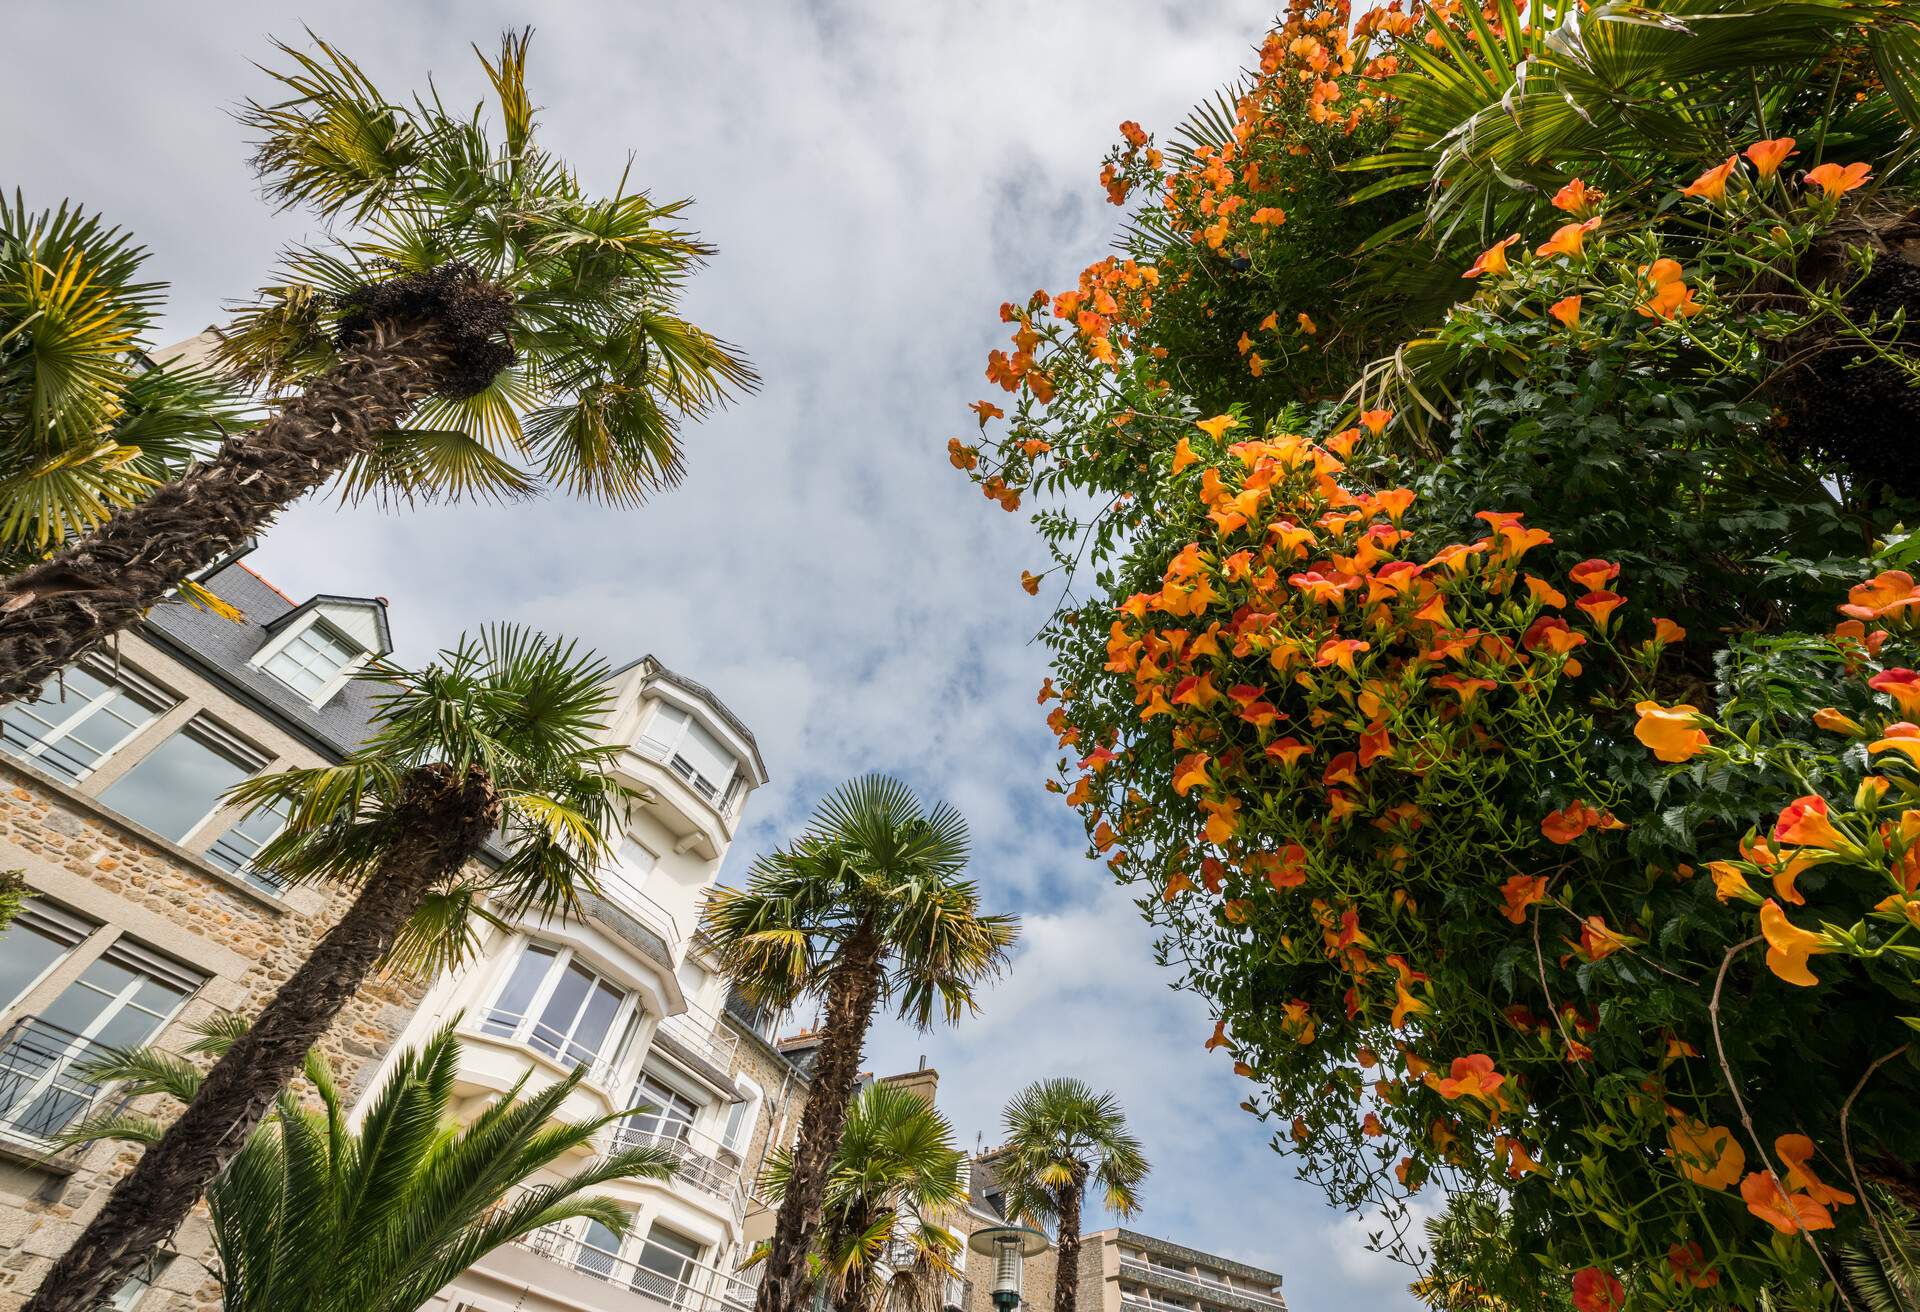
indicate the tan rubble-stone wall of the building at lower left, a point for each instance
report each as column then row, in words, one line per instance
column 137, row 885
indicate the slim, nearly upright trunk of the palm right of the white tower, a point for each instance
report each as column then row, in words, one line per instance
column 852, row 998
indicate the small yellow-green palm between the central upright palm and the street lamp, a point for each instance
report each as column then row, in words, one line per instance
column 894, row 1175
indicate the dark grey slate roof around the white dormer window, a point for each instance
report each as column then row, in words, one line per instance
column 224, row 650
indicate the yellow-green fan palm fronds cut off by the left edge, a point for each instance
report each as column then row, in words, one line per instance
column 89, row 424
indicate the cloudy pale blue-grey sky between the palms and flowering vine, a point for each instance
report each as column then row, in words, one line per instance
column 878, row 180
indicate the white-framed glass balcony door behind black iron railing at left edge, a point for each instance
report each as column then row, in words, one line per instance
column 124, row 1000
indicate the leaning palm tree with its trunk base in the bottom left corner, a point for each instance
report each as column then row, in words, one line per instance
column 500, row 737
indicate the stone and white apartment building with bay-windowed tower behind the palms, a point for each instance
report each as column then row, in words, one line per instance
column 149, row 915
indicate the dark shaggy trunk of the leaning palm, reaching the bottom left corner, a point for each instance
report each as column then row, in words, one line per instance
column 443, row 823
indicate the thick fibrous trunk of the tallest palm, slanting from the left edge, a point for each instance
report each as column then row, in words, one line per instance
column 59, row 610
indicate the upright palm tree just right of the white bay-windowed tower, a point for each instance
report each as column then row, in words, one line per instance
column 865, row 908
